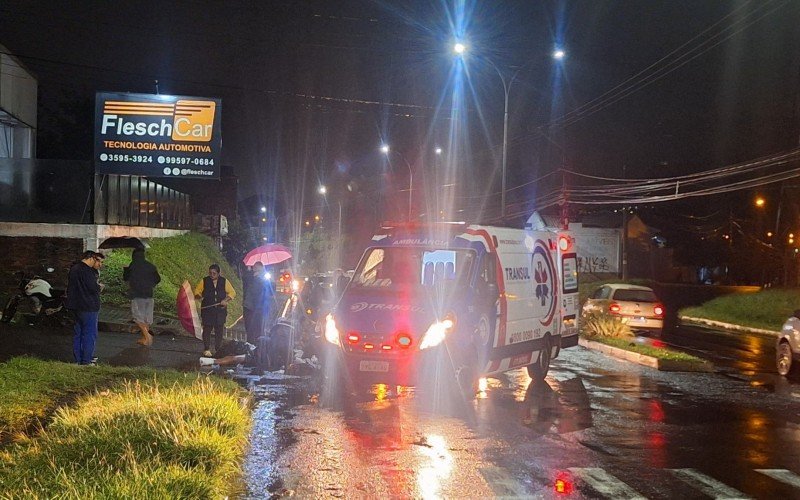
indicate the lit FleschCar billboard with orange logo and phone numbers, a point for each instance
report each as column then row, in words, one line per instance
column 157, row 135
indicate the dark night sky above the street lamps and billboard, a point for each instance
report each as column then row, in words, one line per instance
column 310, row 89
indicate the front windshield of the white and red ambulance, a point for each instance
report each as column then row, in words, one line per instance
column 398, row 267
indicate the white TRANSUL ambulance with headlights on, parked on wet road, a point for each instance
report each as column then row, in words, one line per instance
column 486, row 299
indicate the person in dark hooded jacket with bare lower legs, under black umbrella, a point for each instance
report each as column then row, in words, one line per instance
column 142, row 276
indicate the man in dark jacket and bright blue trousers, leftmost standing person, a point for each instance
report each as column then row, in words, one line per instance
column 83, row 299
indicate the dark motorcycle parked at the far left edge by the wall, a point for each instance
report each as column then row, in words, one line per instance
column 46, row 305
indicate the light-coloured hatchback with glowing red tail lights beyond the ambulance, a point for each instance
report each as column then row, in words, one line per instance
column 637, row 306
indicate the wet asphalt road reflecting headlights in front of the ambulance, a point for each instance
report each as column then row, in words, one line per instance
column 598, row 427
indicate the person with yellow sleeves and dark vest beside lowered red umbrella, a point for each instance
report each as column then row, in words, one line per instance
column 216, row 292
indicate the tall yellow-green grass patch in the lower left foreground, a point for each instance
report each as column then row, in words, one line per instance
column 131, row 433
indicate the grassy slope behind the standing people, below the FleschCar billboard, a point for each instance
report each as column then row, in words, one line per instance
column 177, row 258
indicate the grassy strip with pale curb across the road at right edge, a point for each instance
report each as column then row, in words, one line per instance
column 767, row 309
